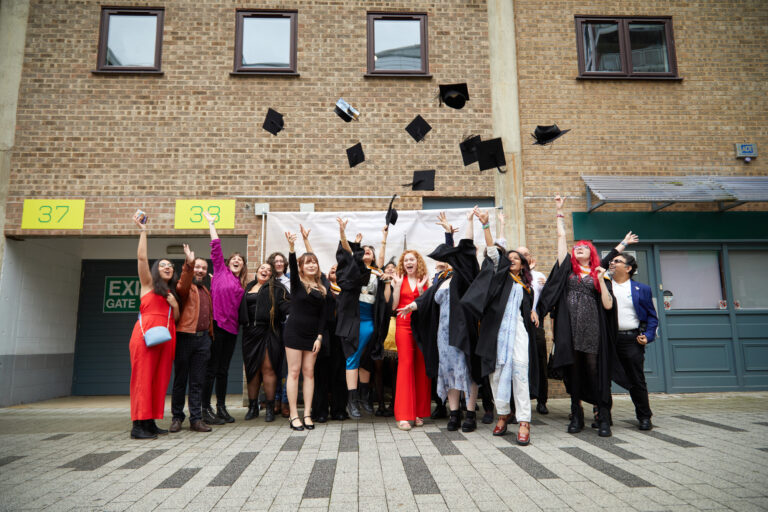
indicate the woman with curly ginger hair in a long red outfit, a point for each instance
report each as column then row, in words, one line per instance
column 413, row 398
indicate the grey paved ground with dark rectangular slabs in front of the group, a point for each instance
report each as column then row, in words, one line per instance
column 706, row 452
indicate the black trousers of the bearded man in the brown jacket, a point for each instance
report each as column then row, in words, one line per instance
column 189, row 366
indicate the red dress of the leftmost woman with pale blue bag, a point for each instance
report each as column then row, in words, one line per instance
column 151, row 366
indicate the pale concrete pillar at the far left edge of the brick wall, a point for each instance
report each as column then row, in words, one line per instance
column 13, row 30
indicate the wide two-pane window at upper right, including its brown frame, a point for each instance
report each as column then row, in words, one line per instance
column 623, row 47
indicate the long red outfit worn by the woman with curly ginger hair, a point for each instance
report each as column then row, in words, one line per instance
column 414, row 393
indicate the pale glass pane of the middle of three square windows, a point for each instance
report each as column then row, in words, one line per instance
column 266, row 42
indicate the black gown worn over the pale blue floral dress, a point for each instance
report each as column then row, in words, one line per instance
column 463, row 328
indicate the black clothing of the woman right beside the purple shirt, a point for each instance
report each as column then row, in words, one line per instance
column 260, row 335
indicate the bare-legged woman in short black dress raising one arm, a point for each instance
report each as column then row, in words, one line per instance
column 303, row 330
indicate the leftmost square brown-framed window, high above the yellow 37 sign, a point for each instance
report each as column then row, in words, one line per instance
column 130, row 40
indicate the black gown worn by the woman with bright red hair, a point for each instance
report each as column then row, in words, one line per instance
column 554, row 301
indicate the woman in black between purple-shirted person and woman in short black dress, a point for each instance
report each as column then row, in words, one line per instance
column 262, row 312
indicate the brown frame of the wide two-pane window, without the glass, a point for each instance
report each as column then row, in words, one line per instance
column 625, row 53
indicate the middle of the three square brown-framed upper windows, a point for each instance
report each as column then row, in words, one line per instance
column 265, row 42
